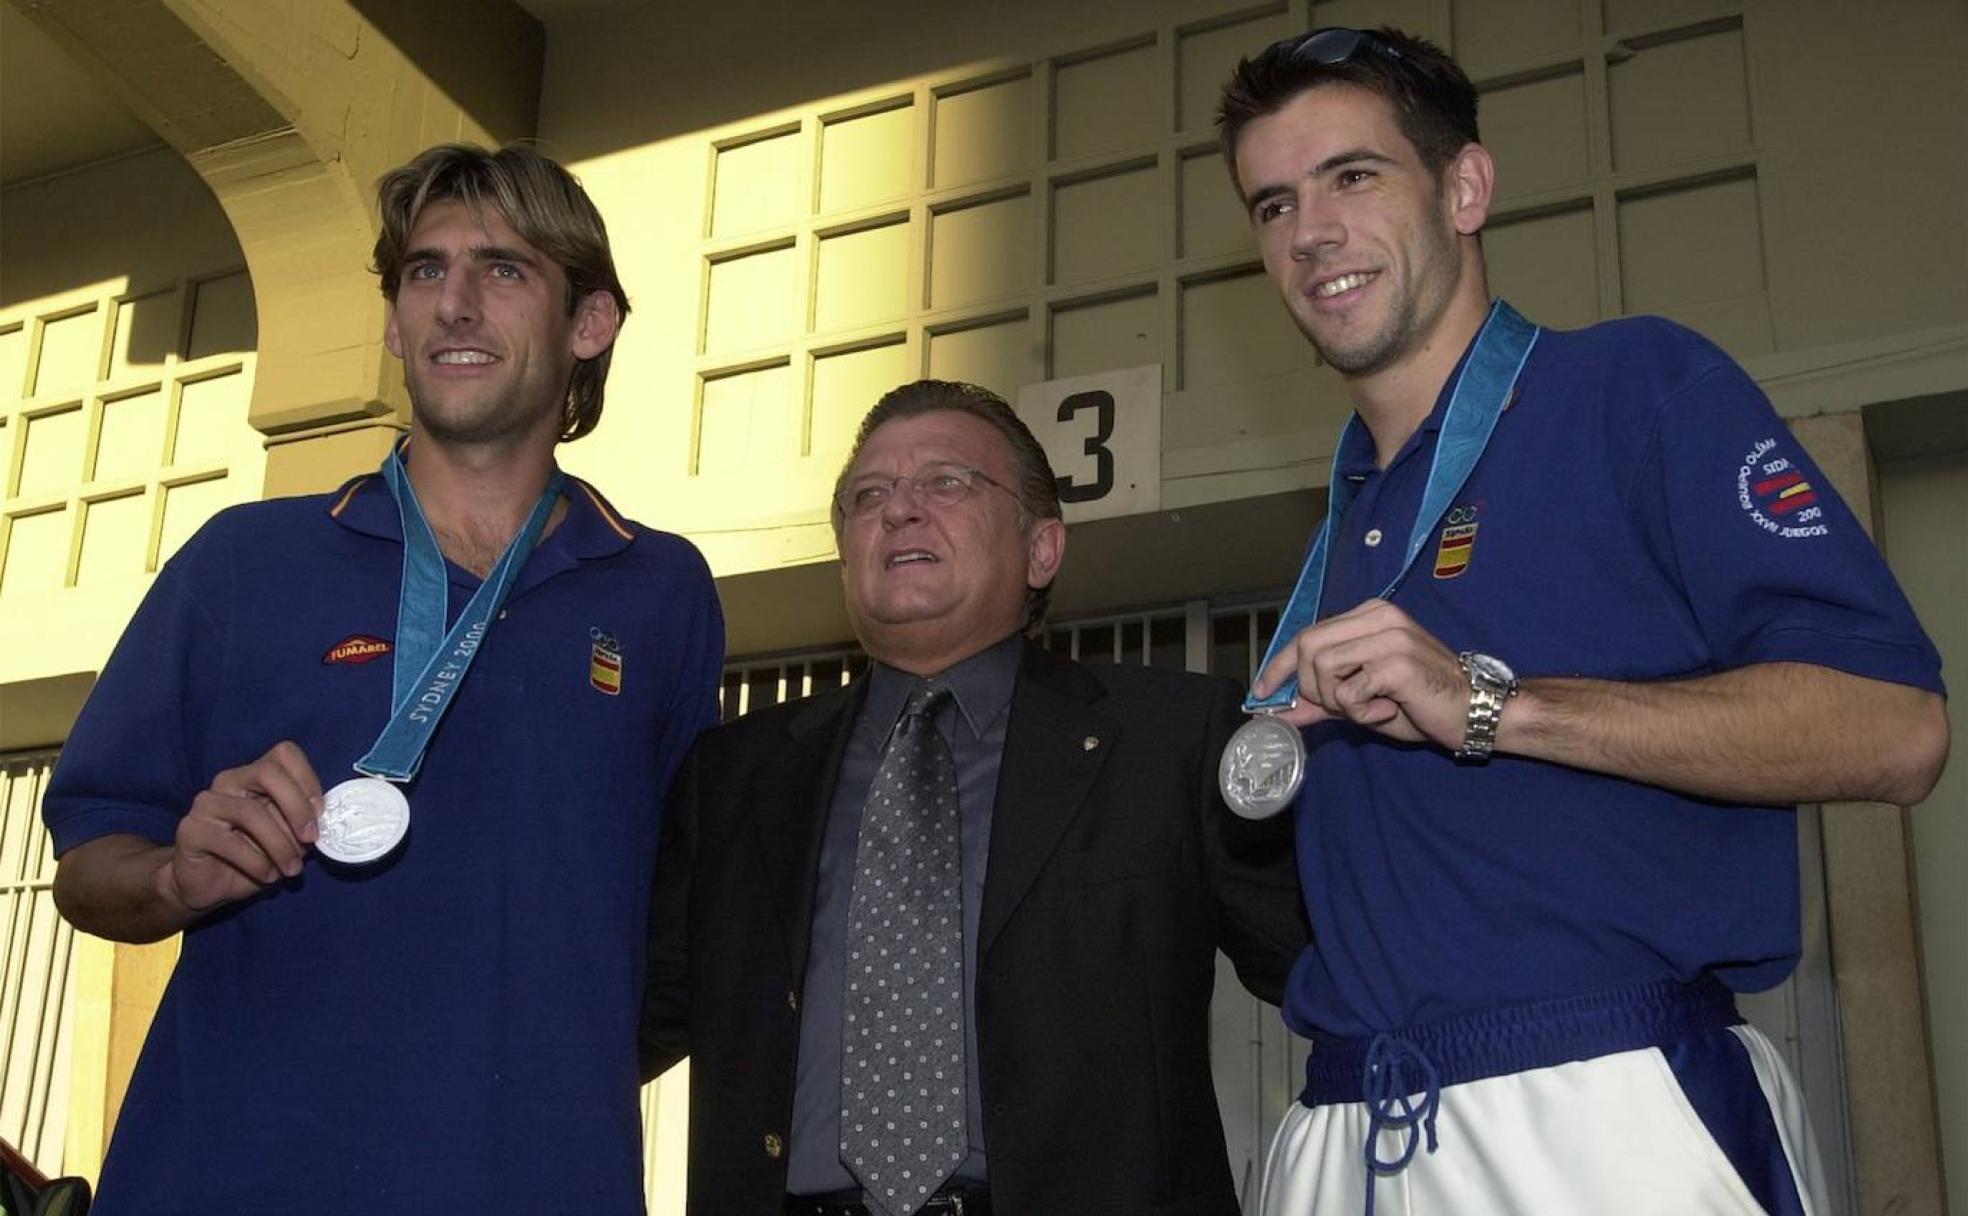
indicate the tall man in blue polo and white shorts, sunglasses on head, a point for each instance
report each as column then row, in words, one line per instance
column 1589, row 625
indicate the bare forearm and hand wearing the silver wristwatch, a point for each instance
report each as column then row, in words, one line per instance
column 1770, row 733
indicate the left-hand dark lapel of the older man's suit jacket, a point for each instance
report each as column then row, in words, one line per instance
column 792, row 820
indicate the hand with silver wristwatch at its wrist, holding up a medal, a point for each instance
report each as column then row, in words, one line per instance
column 1377, row 668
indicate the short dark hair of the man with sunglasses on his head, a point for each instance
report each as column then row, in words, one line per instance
column 1432, row 97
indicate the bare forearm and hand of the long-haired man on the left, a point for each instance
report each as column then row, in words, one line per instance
column 249, row 831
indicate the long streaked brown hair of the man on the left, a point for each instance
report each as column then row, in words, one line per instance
column 546, row 208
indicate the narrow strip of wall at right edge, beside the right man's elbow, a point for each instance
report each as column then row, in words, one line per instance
column 1922, row 509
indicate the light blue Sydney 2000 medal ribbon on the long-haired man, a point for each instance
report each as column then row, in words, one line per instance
column 430, row 662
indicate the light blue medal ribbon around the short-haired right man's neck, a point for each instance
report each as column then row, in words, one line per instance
column 1483, row 389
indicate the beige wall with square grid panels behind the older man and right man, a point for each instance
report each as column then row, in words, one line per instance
column 1715, row 162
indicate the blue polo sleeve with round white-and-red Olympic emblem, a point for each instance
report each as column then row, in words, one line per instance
column 1774, row 564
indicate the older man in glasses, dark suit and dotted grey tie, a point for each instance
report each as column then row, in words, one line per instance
column 946, row 940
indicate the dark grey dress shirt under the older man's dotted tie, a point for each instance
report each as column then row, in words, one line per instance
column 973, row 725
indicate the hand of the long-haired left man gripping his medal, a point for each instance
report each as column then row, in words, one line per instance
column 245, row 833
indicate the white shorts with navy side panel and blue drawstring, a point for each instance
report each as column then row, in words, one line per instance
column 1611, row 1136
